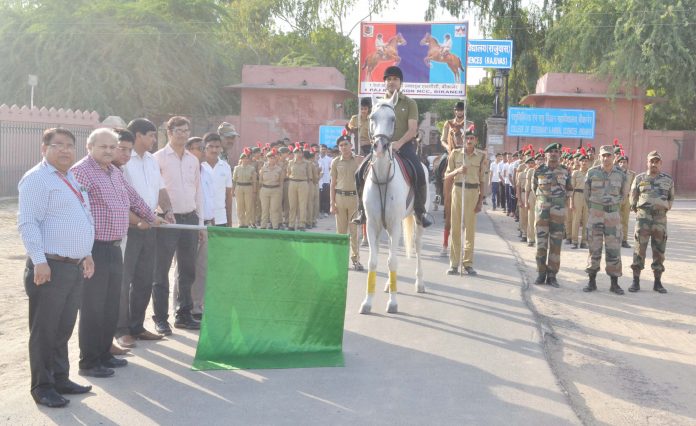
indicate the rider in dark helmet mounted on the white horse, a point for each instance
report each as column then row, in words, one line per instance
column 403, row 141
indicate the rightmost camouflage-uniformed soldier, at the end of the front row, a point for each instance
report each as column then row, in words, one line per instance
column 652, row 195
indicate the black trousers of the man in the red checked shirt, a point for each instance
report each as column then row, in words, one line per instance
column 99, row 307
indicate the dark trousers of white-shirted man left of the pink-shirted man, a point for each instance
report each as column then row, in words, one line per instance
column 136, row 287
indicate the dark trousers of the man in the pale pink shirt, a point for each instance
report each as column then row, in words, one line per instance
column 185, row 244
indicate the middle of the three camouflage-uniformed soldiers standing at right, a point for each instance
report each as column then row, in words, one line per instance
column 604, row 192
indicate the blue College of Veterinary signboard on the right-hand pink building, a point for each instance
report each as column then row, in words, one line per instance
column 551, row 123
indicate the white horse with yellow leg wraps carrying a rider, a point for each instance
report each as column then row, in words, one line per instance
column 384, row 199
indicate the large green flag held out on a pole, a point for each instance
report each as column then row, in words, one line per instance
column 273, row 299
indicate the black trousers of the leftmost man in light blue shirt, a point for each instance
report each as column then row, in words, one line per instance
column 52, row 313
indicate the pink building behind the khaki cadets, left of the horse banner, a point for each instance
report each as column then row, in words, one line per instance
column 292, row 102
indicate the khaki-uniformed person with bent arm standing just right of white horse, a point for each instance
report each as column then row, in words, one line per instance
column 466, row 167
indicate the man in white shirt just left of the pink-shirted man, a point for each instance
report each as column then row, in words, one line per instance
column 142, row 172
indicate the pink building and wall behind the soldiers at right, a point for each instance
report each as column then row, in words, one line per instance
column 620, row 117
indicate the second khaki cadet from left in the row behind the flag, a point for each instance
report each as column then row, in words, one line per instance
column 271, row 192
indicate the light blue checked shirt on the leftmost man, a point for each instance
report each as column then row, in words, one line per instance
column 51, row 217
